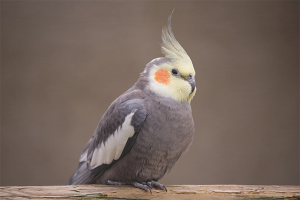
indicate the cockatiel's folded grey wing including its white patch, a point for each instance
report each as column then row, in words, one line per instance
column 114, row 137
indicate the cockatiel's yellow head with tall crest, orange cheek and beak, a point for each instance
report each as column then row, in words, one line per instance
column 174, row 75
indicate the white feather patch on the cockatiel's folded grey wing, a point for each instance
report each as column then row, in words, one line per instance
column 113, row 147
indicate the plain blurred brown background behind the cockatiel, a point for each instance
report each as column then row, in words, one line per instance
column 64, row 62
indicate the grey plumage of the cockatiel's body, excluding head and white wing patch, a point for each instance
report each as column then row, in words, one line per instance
column 163, row 127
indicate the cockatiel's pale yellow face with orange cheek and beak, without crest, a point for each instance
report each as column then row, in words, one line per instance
column 175, row 80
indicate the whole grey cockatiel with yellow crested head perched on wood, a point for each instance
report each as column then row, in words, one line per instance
column 146, row 129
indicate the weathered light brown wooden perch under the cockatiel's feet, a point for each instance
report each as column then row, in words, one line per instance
column 175, row 192
